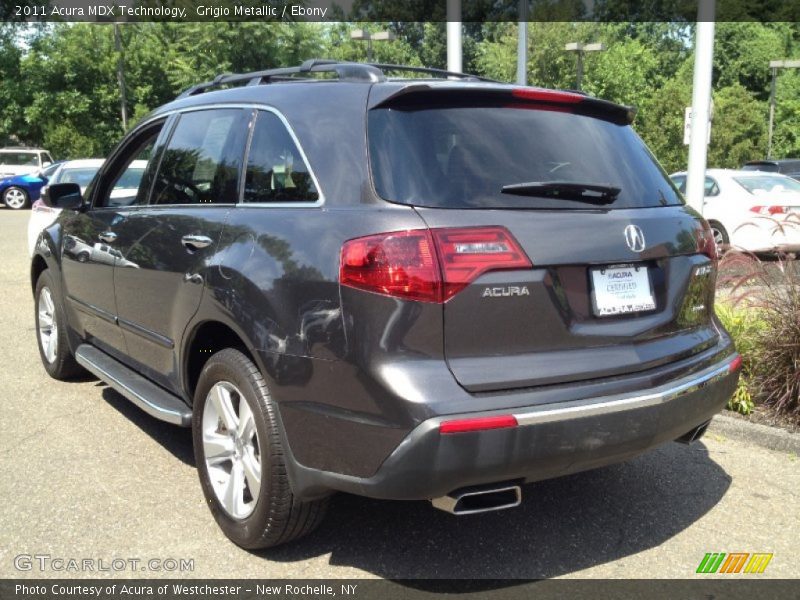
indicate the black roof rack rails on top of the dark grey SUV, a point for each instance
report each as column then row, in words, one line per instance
column 348, row 71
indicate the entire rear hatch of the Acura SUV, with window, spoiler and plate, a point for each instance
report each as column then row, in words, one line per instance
column 621, row 273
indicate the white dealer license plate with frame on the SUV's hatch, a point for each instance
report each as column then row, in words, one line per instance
column 621, row 289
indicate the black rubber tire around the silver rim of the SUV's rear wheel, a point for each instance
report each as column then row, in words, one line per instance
column 277, row 517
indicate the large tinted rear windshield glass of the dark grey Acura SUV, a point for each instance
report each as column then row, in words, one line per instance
column 462, row 157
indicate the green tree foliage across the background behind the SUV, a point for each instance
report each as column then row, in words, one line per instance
column 59, row 88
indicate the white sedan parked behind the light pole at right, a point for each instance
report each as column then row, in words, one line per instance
column 754, row 211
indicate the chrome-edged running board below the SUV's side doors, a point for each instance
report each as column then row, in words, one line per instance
column 152, row 399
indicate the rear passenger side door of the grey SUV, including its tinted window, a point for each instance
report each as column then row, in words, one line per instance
column 168, row 245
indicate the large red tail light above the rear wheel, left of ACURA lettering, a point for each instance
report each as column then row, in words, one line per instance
column 428, row 265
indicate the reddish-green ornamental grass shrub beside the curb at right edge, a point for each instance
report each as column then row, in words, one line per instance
column 767, row 294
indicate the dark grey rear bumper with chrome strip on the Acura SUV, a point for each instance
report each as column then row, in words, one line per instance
column 549, row 440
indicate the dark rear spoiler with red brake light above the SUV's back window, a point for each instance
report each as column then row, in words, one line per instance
column 425, row 95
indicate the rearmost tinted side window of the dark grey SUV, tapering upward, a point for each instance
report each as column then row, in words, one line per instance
column 276, row 171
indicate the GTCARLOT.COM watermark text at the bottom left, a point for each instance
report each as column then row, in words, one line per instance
column 71, row 564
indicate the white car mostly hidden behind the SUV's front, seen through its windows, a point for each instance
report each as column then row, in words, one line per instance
column 81, row 172
